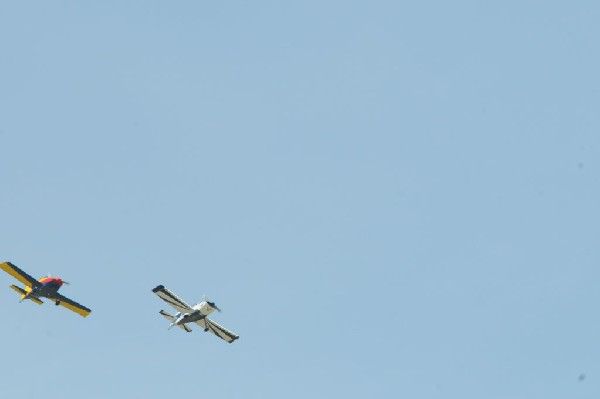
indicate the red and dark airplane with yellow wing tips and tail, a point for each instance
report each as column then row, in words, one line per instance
column 46, row 287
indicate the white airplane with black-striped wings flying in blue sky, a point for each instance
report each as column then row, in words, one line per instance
column 192, row 314
